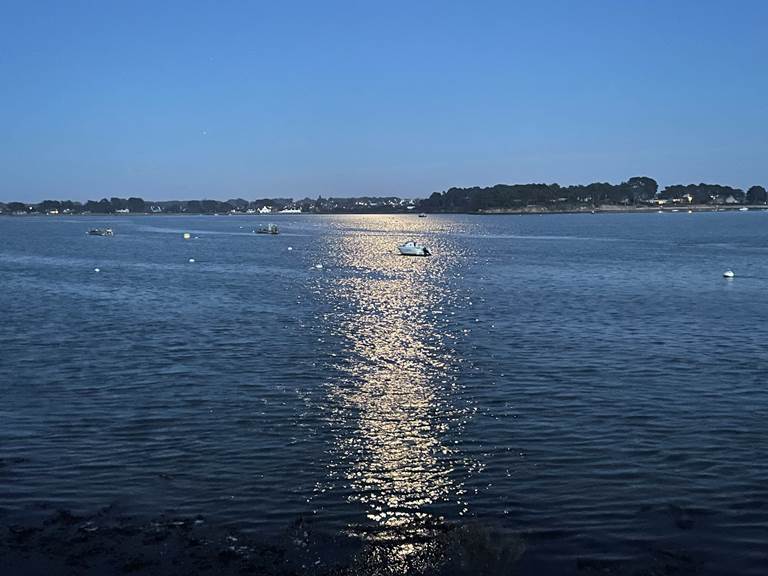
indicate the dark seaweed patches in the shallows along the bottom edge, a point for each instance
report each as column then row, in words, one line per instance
column 106, row 543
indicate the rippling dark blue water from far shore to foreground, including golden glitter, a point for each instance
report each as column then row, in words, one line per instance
column 546, row 394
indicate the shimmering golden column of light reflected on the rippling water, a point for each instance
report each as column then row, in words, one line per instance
column 394, row 414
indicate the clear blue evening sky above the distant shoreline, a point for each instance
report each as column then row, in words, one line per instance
column 221, row 99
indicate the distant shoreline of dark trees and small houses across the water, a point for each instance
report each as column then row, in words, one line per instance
column 636, row 191
